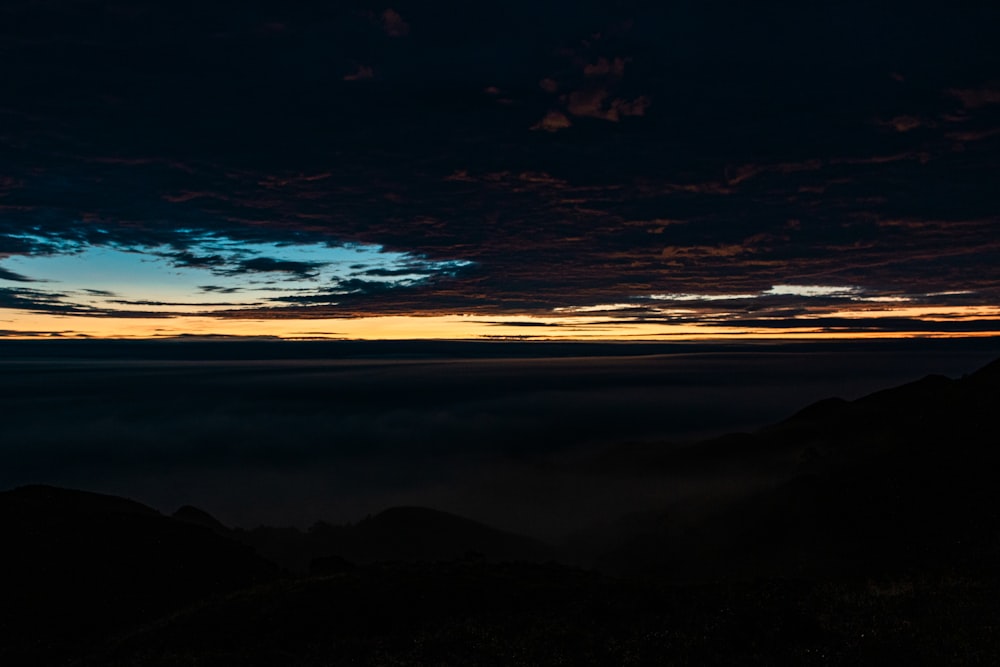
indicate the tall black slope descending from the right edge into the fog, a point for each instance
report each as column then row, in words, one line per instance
column 903, row 478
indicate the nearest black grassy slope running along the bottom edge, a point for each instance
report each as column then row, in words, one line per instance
column 483, row 614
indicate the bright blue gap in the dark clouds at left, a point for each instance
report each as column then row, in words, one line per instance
column 143, row 274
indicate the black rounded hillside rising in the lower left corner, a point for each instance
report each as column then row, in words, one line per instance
column 77, row 566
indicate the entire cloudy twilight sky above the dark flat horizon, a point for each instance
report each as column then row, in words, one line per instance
column 591, row 170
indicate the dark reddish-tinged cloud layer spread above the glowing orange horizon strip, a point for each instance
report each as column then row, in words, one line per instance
column 639, row 208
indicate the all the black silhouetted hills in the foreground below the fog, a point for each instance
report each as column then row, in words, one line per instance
column 874, row 539
